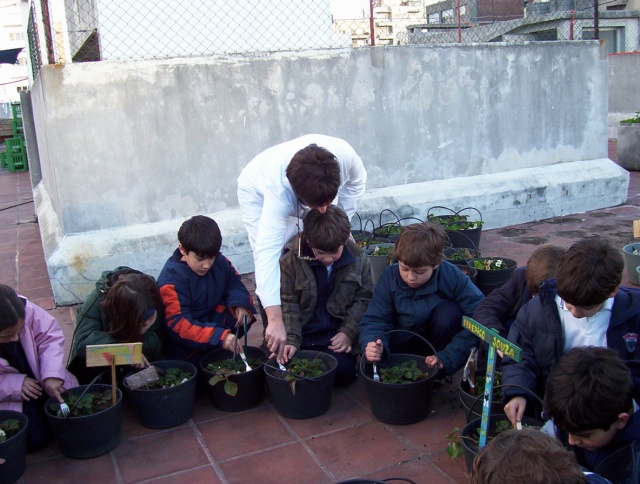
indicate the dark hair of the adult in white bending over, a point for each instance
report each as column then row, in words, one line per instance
column 314, row 175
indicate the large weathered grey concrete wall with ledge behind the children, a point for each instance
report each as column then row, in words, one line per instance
column 130, row 149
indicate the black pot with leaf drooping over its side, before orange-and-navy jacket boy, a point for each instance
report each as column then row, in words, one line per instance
column 248, row 385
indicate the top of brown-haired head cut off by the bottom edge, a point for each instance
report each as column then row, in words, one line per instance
column 525, row 456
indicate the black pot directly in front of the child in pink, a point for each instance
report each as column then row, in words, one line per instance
column 94, row 426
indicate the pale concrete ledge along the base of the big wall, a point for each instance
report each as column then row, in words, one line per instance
column 75, row 261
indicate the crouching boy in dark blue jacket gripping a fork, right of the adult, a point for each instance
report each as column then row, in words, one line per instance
column 424, row 295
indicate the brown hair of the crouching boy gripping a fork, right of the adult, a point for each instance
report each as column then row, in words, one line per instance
column 420, row 245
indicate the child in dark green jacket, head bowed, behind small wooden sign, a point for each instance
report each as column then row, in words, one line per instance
column 125, row 307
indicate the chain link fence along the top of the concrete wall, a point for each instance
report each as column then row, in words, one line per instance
column 98, row 30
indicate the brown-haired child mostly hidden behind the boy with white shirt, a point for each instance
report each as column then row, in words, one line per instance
column 499, row 309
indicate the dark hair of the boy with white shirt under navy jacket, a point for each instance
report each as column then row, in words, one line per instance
column 589, row 272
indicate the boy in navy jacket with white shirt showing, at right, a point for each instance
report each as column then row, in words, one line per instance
column 583, row 306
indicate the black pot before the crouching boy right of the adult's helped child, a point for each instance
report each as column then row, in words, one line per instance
column 399, row 403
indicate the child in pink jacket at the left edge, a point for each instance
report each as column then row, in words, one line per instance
column 31, row 363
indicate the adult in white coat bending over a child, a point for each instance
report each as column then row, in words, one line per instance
column 275, row 190
